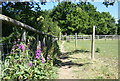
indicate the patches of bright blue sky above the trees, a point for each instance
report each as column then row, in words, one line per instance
column 100, row 7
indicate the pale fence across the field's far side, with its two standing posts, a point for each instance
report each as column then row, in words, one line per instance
column 91, row 38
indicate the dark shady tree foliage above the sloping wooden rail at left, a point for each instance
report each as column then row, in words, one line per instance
column 29, row 13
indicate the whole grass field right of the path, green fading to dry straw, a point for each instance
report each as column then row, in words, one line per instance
column 105, row 64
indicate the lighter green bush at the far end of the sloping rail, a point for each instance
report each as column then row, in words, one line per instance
column 47, row 25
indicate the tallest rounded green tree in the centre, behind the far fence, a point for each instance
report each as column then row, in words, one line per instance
column 69, row 17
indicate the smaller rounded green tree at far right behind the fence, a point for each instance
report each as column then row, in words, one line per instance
column 106, row 24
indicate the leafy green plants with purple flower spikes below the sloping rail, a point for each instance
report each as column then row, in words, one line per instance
column 24, row 63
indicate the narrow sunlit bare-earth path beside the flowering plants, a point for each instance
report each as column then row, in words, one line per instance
column 65, row 72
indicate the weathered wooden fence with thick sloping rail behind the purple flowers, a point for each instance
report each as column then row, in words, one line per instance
column 46, row 42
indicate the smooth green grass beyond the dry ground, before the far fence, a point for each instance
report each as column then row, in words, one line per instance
column 107, row 47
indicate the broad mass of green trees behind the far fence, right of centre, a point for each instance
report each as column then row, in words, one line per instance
column 81, row 17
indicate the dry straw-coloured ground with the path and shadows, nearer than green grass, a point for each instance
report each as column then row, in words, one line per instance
column 80, row 66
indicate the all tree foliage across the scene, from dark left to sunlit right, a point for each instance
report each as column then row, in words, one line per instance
column 67, row 17
